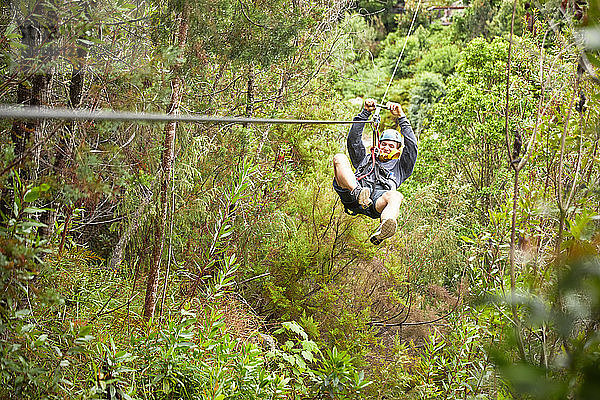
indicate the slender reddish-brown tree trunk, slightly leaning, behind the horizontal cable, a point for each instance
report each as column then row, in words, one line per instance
column 167, row 164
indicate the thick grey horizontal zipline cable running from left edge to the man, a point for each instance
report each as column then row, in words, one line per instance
column 37, row 113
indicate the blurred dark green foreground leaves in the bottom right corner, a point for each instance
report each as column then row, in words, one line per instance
column 569, row 315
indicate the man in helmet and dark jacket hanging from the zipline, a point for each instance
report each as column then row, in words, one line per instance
column 371, row 190
